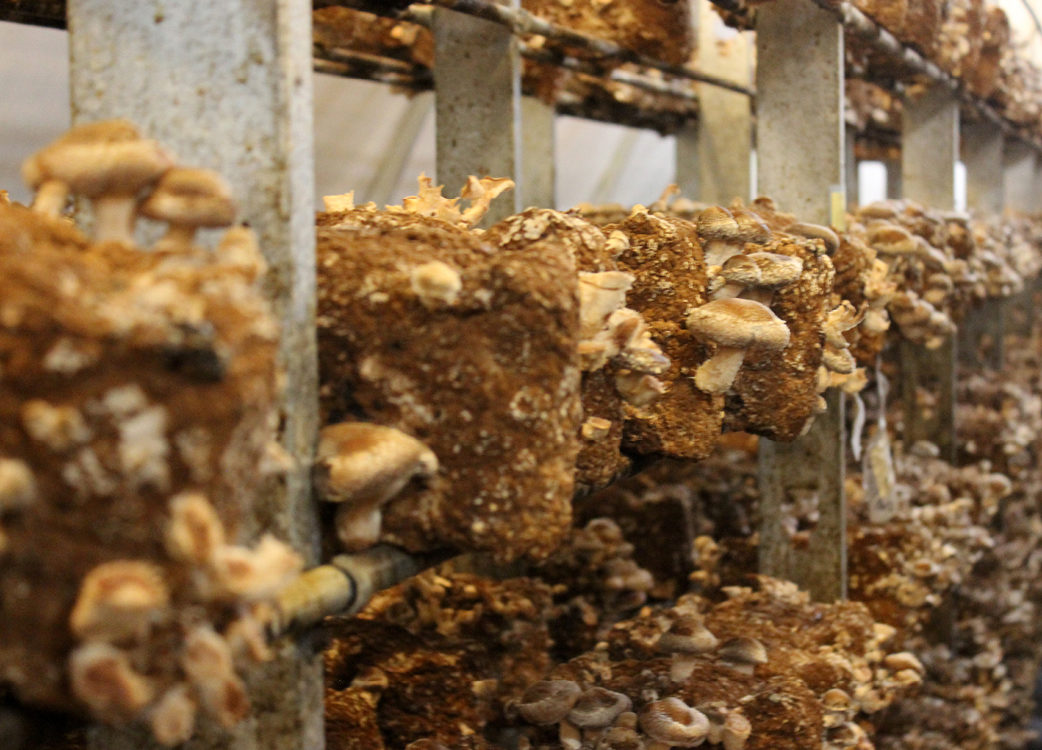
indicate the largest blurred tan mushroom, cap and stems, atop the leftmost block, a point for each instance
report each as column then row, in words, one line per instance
column 107, row 162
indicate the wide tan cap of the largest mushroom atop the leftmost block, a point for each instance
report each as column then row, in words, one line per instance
column 108, row 158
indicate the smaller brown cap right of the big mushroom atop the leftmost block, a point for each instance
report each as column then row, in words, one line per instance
column 191, row 196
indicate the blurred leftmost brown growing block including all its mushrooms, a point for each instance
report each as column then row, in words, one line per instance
column 139, row 394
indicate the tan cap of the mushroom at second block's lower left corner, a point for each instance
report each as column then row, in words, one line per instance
column 360, row 462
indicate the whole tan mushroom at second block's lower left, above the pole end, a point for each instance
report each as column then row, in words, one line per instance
column 362, row 466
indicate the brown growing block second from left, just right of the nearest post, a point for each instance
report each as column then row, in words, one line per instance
column 489, row 381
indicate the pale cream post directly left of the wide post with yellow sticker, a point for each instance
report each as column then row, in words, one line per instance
column 713, row 155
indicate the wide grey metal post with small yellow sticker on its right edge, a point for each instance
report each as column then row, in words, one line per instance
column 801, row 160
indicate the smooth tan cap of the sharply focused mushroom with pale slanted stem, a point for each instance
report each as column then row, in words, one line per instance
column 739, row 323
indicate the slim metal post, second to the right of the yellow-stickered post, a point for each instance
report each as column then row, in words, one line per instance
column 982, row 333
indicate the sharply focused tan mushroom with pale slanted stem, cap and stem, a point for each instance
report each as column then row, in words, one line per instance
column 735, row 326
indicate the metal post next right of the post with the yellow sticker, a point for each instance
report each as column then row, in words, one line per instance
column 930, row 149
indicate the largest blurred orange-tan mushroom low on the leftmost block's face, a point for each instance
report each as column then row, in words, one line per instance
column 119, row 601
